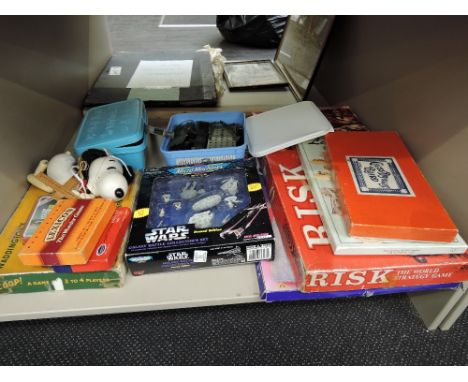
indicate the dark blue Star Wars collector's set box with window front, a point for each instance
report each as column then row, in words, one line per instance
column 199, row 216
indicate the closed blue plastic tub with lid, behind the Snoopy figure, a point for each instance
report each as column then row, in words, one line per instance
column 117, row 127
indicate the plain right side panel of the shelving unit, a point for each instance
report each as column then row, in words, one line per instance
column 408, row 74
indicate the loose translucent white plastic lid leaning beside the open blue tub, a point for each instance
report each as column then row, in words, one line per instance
column 286, row 126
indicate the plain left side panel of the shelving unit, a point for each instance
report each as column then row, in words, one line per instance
column 47, row 65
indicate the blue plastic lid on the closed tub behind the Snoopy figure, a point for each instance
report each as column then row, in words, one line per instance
column 113, row 125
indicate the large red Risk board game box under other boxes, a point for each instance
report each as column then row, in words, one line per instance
column 317, row 268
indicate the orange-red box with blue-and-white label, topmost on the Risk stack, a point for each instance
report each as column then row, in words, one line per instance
column 382, row 190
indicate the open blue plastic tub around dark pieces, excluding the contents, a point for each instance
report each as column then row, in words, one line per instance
column 183, row 157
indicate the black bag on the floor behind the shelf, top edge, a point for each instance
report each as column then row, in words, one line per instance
column 258, row 31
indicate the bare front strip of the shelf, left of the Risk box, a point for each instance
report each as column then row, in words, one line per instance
column 171, row 290
